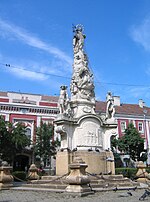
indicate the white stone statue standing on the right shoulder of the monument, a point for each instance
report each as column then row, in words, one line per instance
column 110, row 109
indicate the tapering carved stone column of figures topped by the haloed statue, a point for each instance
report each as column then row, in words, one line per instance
column 82, row 80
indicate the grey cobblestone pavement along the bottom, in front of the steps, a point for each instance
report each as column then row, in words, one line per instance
column 38, row 196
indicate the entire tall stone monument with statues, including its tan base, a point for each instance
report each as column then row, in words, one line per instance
column 83, row 132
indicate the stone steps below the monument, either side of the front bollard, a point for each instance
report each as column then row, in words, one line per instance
column 58, row 183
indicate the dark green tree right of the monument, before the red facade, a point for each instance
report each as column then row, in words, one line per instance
column 131, row 143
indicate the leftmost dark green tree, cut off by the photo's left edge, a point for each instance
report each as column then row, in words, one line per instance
column 13, row 139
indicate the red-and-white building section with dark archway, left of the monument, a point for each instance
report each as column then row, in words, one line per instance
column 30, row 109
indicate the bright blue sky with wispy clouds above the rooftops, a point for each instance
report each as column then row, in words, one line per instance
column 36, row 40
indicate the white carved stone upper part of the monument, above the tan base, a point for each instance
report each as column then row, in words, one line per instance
column 84, row 129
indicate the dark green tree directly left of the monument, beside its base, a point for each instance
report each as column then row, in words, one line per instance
column 45, row 146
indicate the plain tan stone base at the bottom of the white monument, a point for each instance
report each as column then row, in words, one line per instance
column 98, row 162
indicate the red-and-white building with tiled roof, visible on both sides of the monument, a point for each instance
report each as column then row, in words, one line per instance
column 34, row 108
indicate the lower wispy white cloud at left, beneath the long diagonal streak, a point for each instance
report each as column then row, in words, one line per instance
column 28, row 69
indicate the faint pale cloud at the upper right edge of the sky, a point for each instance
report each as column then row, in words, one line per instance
column 141, row 33
